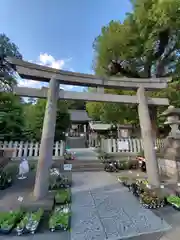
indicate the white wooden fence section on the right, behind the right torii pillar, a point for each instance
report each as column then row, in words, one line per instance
column 132, row 145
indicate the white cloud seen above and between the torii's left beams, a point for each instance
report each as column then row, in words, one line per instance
column 46, row 59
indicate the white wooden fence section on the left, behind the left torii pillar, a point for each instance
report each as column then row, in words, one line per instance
column 31, row 149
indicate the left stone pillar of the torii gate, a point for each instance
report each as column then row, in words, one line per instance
column 47, row 142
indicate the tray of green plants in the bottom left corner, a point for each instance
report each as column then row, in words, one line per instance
column 8, row 220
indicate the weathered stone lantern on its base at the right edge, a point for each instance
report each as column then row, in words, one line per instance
column 171, row 151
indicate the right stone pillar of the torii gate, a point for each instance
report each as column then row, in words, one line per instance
column 148, row 141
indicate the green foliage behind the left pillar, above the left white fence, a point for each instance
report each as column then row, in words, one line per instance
column 20, row 121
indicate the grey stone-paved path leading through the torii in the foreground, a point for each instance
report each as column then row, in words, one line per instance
column 103, row 209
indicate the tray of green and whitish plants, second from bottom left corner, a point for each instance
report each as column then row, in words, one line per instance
column 30, row 222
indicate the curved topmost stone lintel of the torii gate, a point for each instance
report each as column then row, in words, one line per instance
column 37, row 72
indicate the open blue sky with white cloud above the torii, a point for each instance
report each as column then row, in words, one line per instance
column 59, row 32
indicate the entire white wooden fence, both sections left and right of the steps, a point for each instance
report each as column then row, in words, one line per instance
column 31, row 149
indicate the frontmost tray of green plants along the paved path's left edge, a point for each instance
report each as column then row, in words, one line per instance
column 60, row 219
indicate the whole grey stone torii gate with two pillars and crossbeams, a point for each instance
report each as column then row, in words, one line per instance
column 55, row 77
